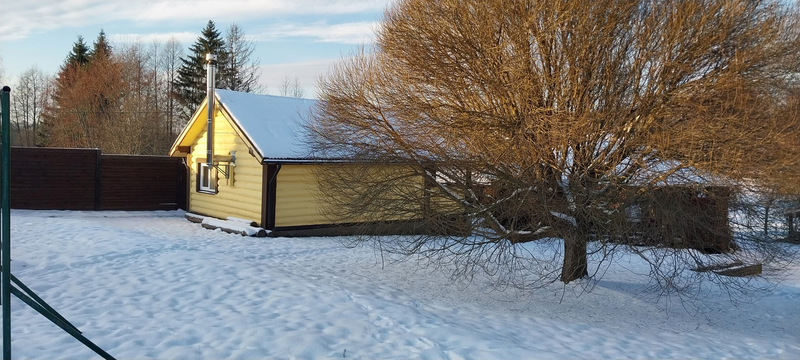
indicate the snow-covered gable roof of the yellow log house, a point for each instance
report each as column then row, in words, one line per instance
column 271, row 125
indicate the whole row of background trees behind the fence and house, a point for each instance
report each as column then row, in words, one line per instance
column 127, row 98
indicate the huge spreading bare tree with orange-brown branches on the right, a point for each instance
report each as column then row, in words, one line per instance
column 585, row 126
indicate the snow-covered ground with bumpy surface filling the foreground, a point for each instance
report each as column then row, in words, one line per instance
column 151, row 285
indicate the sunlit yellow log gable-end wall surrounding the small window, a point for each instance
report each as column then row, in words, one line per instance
column 239, row 196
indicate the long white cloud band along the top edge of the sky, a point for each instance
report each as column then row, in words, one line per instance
column 21, row 18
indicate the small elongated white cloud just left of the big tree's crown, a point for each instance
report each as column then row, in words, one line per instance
column 347, row 33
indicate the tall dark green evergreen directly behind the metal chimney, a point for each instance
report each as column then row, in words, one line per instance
column 190, row 87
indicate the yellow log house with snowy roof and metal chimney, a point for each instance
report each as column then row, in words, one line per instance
column 262, row 174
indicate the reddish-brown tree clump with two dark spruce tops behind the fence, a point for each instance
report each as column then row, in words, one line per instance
column 118, row 100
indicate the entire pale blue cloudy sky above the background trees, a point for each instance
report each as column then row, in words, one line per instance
column 293, row 37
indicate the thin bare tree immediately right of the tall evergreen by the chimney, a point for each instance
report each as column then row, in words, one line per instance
column 243, row 69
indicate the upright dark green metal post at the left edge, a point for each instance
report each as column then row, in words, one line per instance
column 5, row 232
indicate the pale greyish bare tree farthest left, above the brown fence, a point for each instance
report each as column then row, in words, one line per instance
column 30, row 97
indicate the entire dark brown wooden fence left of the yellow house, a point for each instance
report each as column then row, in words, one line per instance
column 84, row 179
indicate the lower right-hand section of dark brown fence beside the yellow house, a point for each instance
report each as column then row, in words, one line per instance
column 131, row 182
